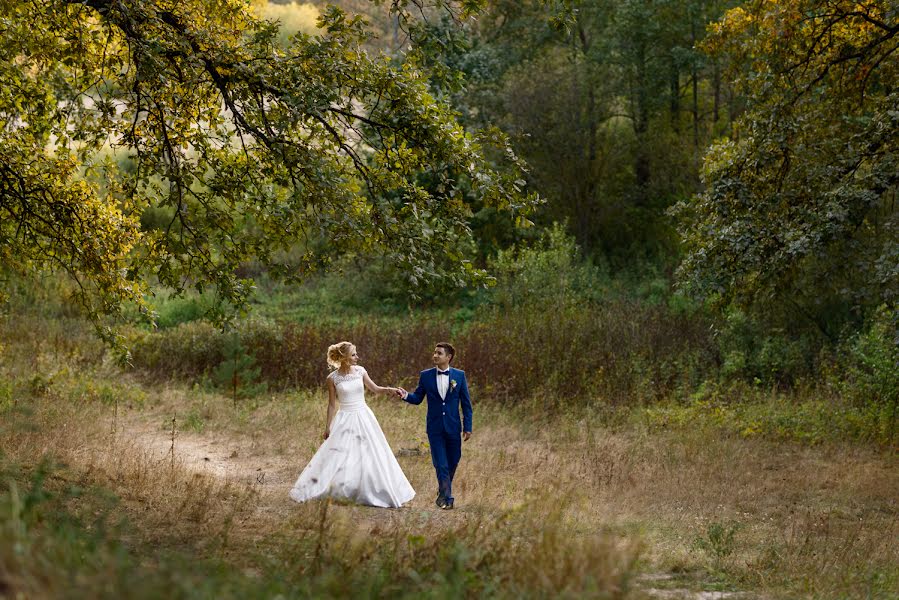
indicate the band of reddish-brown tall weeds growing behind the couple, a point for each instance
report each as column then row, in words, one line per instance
column 618, row 353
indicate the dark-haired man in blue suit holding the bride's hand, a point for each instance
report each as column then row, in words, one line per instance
column 446, row 390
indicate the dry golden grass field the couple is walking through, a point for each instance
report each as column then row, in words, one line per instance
column 580, row 504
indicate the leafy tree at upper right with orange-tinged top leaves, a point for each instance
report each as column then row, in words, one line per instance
column 799, row 206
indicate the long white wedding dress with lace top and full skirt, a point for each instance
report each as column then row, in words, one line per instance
column 355, row 462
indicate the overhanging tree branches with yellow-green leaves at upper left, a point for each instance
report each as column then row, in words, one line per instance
column 228, row 148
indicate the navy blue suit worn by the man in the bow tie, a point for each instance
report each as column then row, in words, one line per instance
column 443, row 425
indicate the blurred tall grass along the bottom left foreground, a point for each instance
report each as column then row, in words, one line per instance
column 121, row 523
